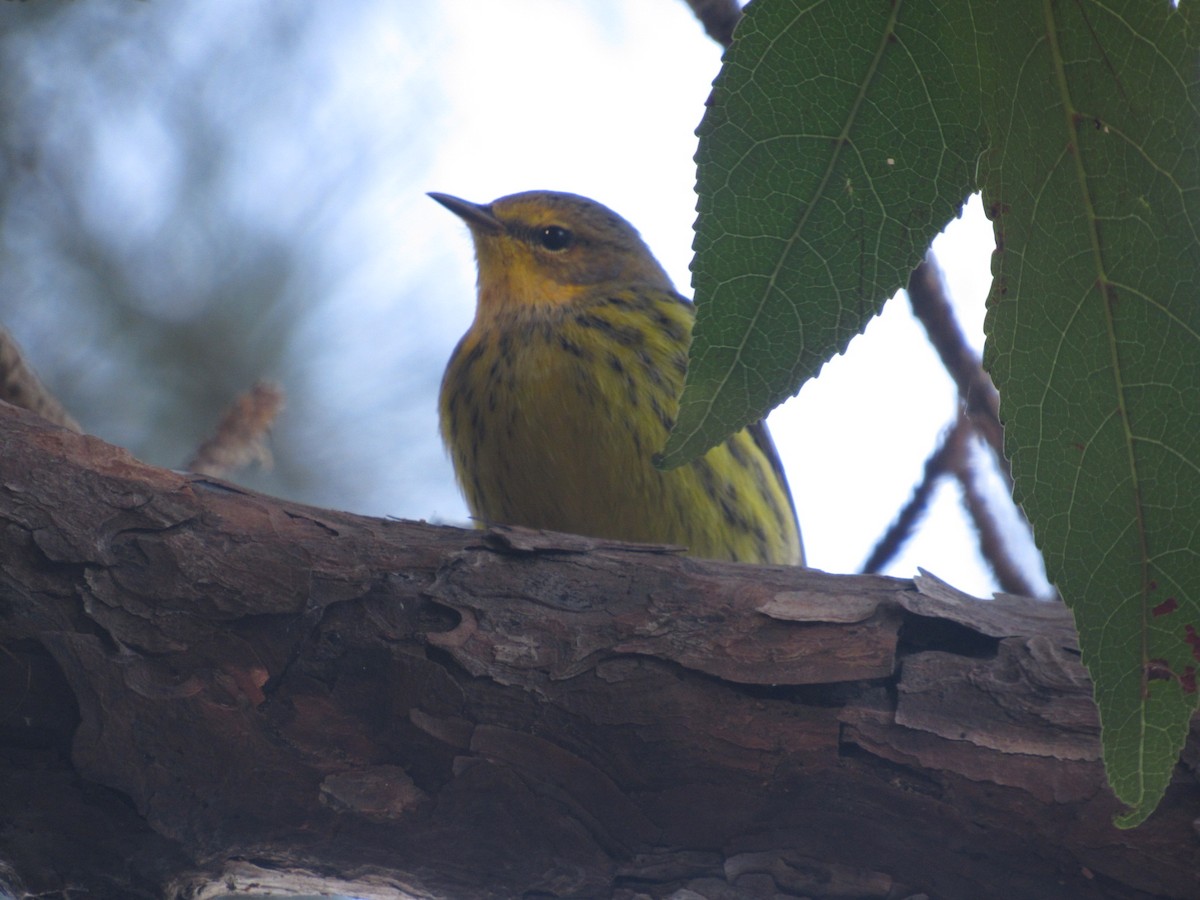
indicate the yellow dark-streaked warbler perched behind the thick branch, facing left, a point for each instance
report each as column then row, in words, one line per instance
column 568, row 381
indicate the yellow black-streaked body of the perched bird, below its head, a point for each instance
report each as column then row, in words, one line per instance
column 553, row 417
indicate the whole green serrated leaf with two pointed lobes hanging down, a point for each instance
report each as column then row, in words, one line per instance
column 843, row 136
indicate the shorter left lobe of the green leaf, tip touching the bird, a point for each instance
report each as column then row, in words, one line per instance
column 841, row 140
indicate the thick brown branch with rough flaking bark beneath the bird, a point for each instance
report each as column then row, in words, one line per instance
column 201, row 683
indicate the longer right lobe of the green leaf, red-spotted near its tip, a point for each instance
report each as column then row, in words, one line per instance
column 1094, row 339
